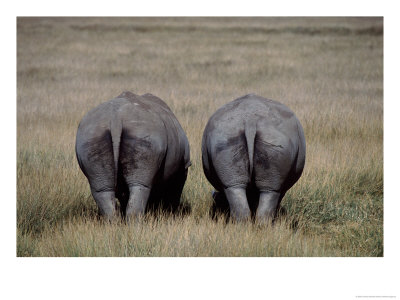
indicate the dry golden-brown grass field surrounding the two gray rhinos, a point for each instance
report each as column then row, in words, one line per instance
column 329, row 71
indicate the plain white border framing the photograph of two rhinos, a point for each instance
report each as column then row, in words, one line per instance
column 280, row 278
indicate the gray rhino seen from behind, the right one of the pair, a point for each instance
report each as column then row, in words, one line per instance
column 253, row 151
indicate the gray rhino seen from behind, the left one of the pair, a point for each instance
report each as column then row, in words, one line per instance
column 134, row 149
